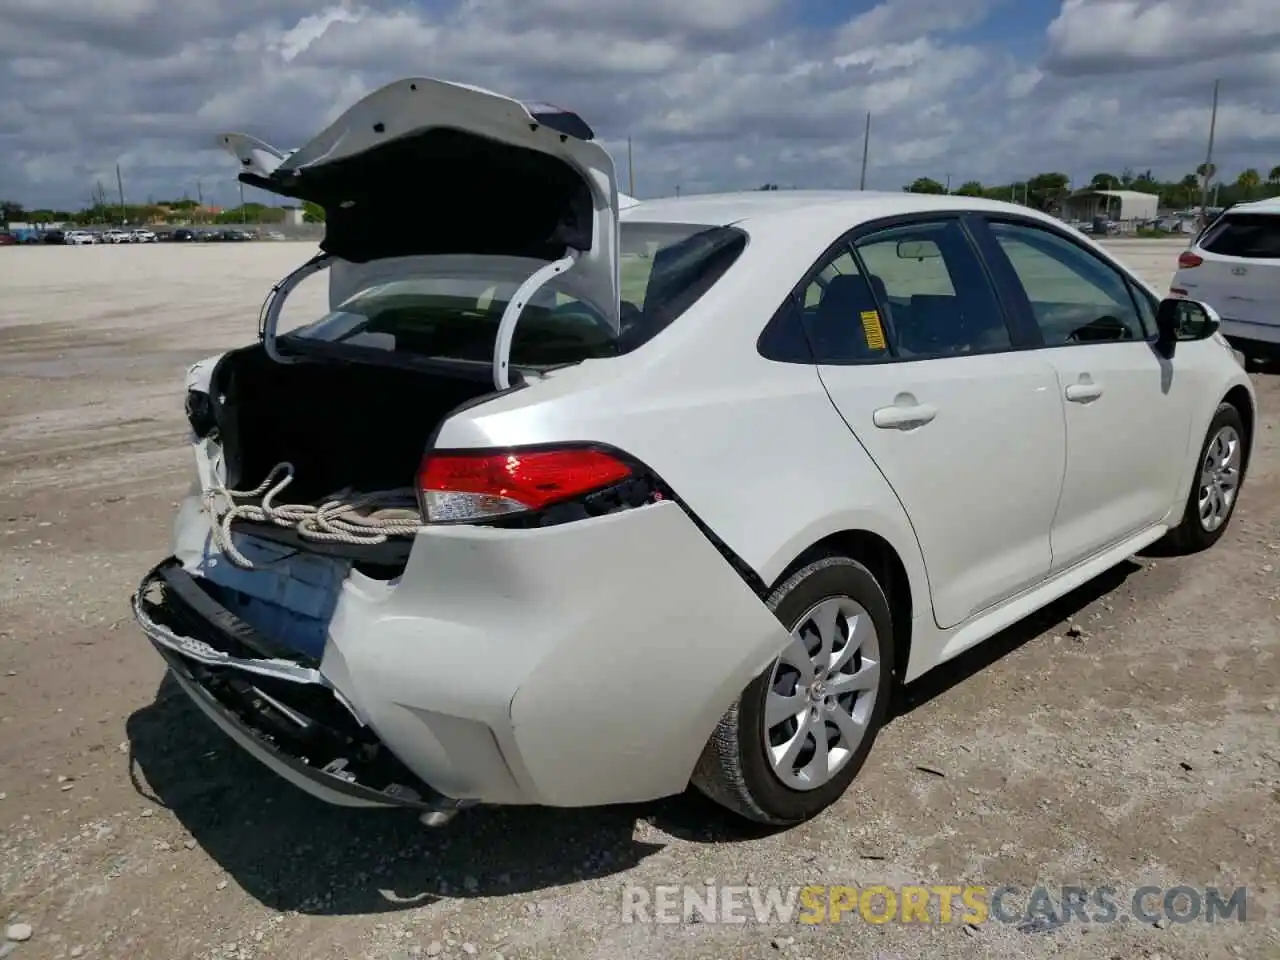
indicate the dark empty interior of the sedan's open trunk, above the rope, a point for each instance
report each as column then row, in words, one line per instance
column 340, row 424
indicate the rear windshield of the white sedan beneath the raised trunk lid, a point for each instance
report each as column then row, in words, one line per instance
column 665, row 269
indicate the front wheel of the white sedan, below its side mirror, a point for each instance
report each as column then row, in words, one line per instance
column 1215, row 487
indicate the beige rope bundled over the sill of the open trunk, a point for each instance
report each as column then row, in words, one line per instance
column 362, row 520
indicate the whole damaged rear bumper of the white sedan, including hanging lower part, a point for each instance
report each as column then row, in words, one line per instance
column 577, row 665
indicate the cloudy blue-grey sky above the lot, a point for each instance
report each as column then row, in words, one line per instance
column 715, row 94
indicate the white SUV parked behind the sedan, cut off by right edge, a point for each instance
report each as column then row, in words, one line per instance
column 1235, row 266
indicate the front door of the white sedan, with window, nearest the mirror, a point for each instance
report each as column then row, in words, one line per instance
column 1128, row 412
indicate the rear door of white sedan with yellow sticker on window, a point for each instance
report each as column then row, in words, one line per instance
column 915, row 351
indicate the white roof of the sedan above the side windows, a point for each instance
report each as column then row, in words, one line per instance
column 779, row 208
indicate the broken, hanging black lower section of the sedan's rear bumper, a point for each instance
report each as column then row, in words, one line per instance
column 278, row 708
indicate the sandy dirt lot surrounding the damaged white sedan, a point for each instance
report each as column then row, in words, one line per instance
column 1130, row 735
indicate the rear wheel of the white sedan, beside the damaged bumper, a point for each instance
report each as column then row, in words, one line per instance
column 796, row 739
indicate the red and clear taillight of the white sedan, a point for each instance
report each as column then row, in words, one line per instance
column 459, row 486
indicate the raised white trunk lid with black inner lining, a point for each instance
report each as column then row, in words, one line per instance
column 431, row 168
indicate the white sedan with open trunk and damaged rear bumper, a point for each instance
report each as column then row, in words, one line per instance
column 565, row 506
